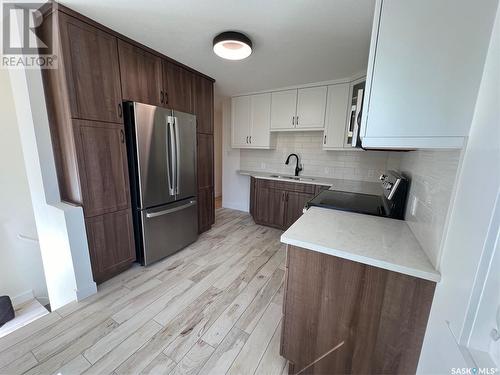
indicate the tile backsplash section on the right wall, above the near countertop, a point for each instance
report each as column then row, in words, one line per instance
column 432, row 175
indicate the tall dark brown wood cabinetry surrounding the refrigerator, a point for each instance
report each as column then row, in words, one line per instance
column 98, row 69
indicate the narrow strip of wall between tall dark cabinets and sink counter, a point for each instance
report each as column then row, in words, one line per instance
column 235, row 188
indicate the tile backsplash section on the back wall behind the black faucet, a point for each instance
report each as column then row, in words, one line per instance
column 351, row 165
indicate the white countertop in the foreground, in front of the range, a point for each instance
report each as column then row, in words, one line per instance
column 372, row 240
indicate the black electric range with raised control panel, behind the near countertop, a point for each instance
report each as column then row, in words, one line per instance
column 390, row 202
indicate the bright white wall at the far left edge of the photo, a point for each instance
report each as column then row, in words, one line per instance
column 21, row 269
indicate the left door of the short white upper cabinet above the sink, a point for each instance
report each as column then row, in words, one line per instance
column 283, row 109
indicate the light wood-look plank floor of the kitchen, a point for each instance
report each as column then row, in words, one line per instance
column 212, row 308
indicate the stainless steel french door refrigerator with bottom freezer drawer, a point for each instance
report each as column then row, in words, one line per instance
column 161, row 145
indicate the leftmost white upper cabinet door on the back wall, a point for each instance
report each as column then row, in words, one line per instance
column 240, row 121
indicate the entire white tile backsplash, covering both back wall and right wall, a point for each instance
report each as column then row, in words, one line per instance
column 432, row 174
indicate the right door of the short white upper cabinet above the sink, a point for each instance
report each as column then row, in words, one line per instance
column 311, row 105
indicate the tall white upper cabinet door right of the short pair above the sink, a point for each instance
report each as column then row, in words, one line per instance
column 337, row 109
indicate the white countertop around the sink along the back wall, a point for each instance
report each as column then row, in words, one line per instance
column 354, row 186
